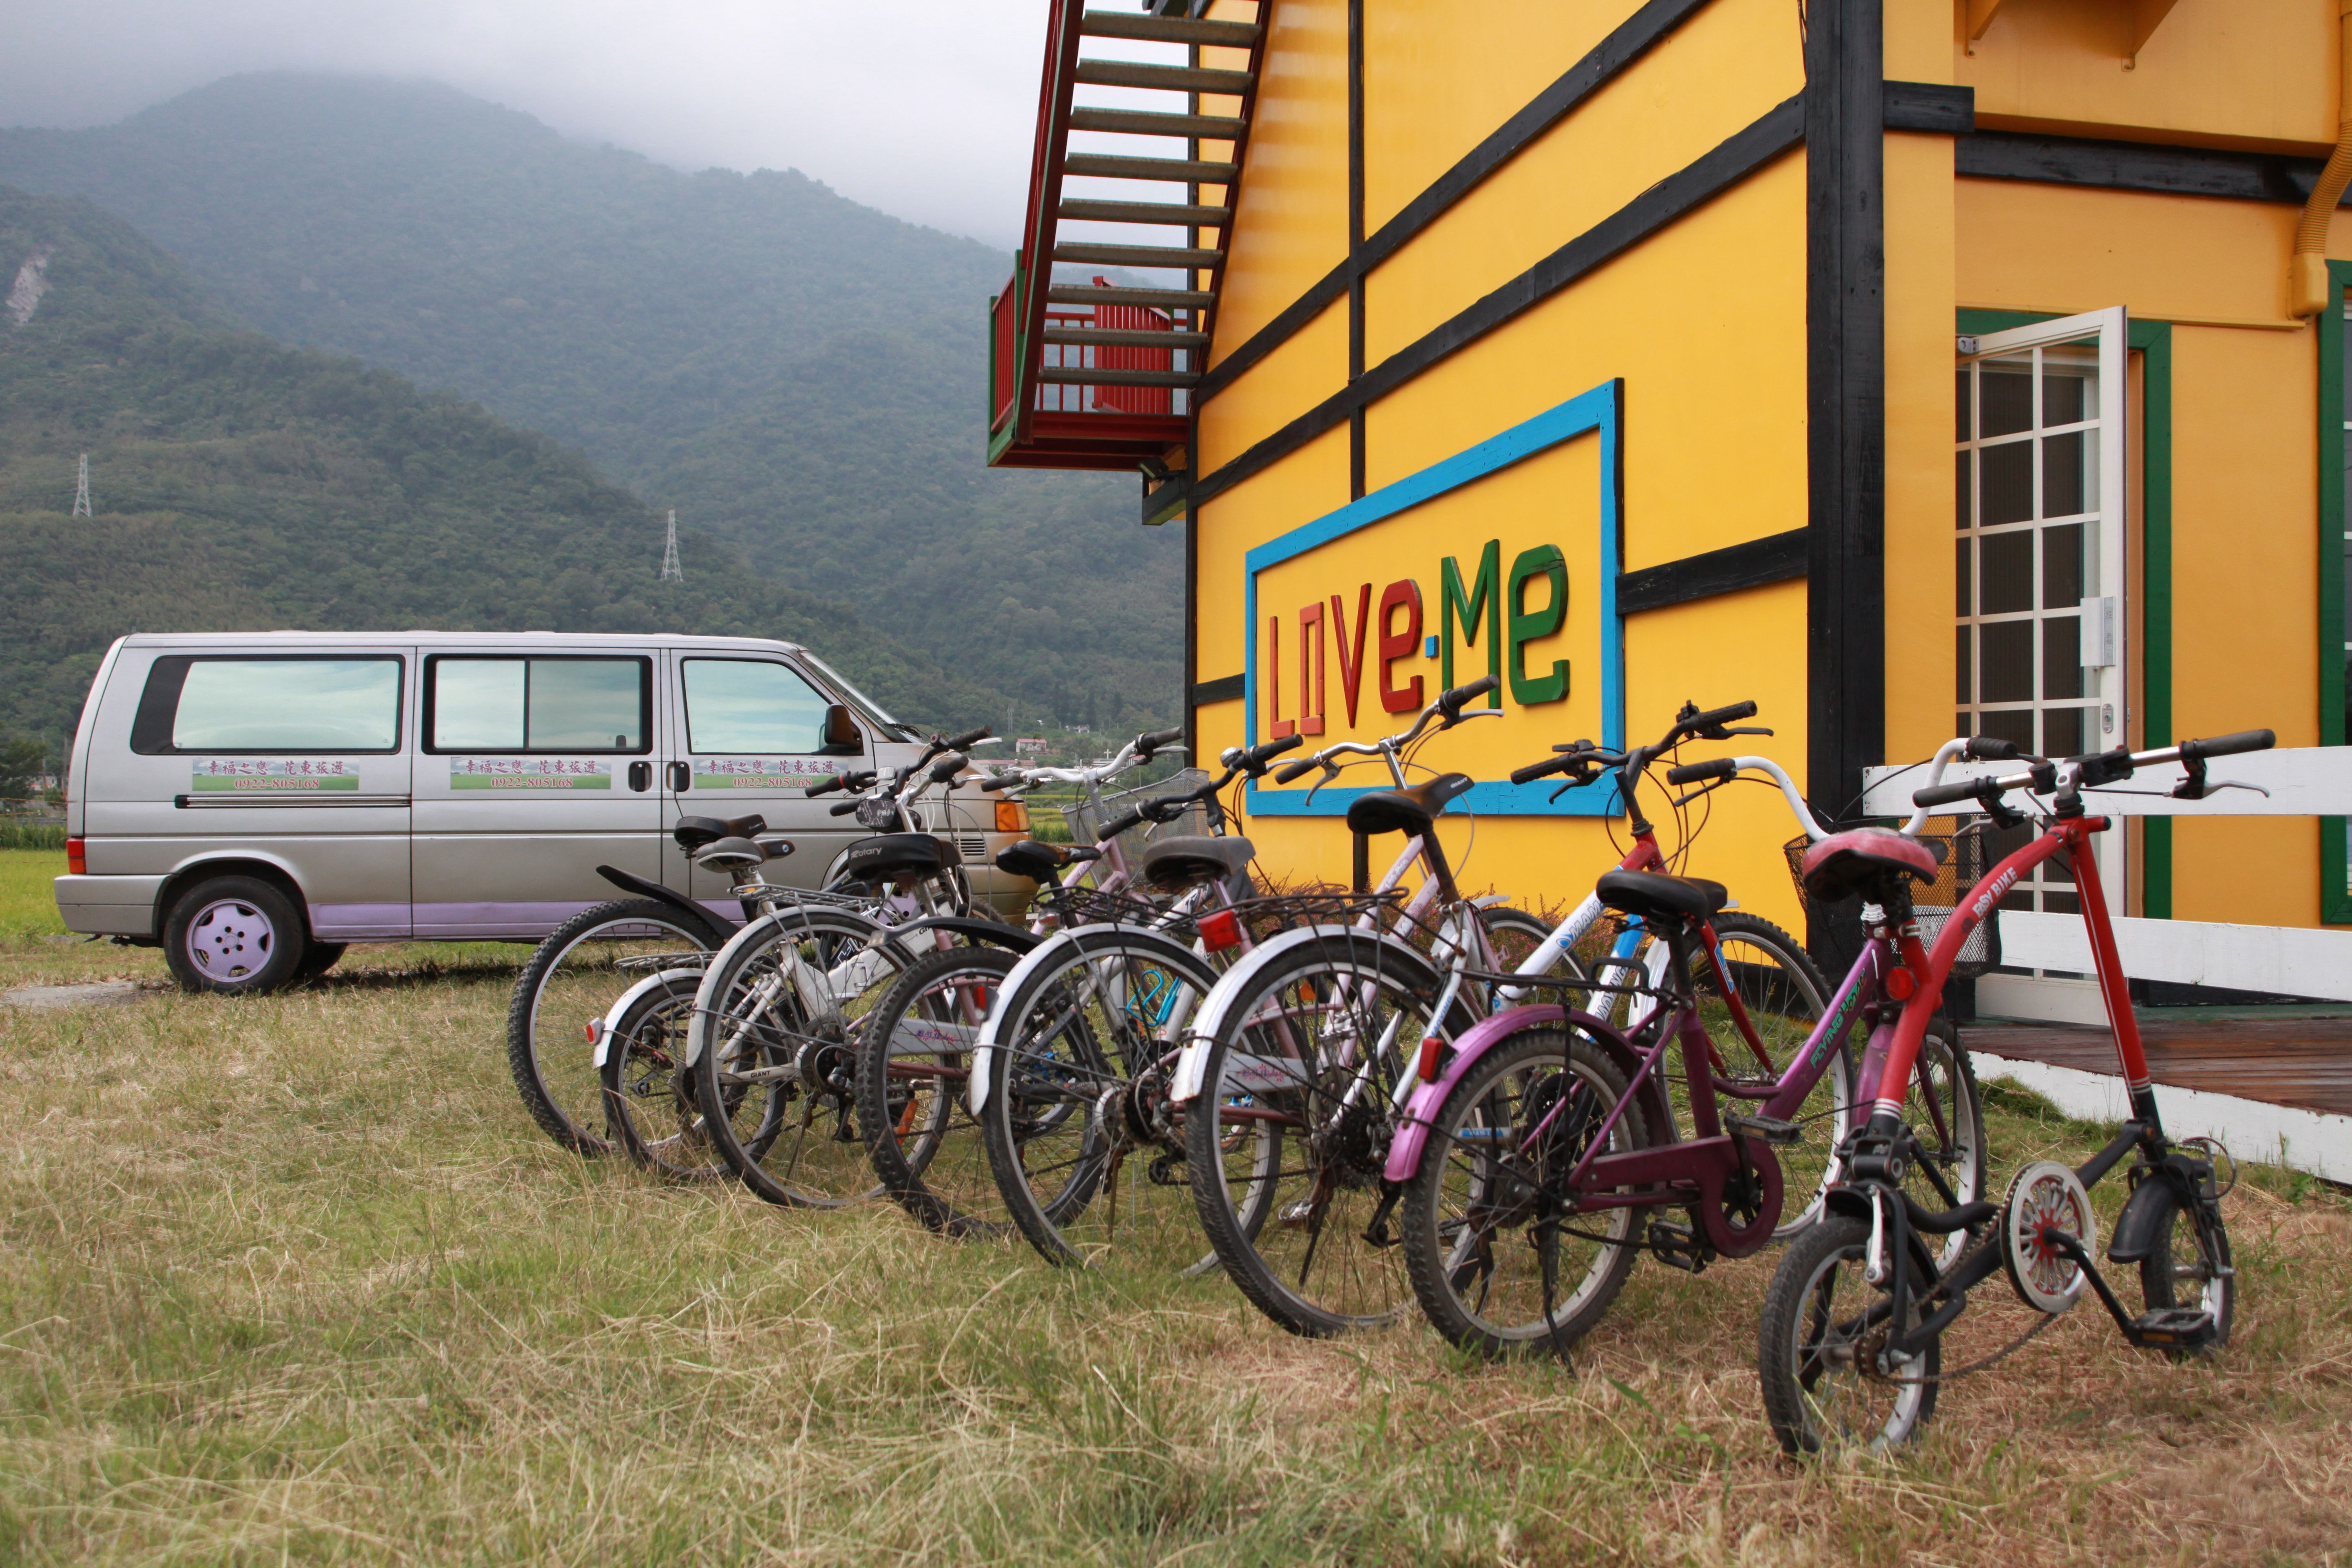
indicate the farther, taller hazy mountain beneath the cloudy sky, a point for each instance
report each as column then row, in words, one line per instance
column 794, row 373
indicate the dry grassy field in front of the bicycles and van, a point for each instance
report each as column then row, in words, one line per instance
column 298, row 1280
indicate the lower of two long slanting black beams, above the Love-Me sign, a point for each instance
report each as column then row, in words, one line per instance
column 1645, row 215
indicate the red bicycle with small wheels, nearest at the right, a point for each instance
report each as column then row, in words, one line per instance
column 1850, row 1346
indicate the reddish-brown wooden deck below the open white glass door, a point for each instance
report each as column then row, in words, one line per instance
column 2254, row 1054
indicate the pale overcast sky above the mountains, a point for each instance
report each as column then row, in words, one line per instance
column 916, row 107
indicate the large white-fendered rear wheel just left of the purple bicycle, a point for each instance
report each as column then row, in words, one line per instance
column 1311, row 1059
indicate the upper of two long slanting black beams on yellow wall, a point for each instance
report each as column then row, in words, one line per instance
column 1631, row 41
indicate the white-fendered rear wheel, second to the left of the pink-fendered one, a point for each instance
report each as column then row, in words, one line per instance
column 1081, row 1052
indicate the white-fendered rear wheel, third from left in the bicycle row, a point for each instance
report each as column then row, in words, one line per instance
column 773, row 1066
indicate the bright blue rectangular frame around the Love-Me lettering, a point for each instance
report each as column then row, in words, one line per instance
column 1598, row 410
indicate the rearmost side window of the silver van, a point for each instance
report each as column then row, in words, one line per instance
column 276, row 704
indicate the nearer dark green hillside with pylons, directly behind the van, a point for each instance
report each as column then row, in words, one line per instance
column 241, row 485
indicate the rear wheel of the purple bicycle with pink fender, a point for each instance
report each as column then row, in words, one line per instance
column 1495, row 1254
